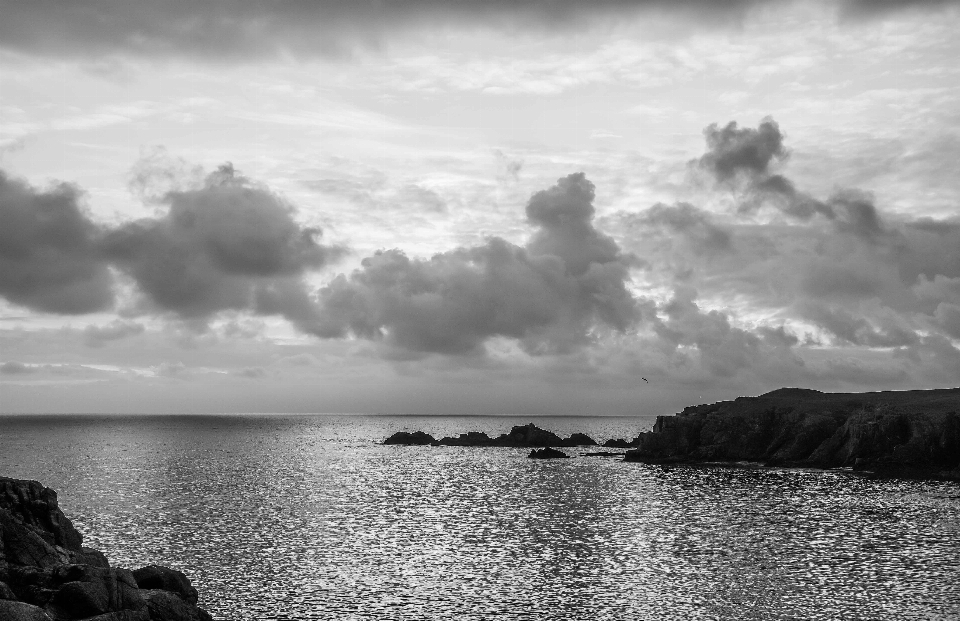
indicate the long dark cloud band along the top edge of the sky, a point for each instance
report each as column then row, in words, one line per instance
column 243, row 28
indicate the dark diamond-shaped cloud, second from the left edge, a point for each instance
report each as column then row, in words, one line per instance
column 216, row 246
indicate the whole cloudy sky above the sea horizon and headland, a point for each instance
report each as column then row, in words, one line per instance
column 611, row 207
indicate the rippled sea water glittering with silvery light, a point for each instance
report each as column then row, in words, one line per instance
column 309, row 517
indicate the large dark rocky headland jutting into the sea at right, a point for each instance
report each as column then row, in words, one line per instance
column 909, row 433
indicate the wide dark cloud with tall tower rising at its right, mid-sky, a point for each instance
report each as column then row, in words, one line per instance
column 548, row 294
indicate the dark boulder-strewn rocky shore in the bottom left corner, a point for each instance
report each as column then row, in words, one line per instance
column 47, row 575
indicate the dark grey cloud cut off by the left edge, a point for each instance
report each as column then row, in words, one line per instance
column 48, row 250
